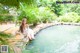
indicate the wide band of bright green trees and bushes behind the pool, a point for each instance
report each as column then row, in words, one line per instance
column 38, row 11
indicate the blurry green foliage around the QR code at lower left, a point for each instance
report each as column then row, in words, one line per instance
column 4, row 41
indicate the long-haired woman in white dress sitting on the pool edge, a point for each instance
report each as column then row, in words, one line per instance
column 25, row 30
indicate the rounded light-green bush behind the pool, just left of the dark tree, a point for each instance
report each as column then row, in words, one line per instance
column 46, row 15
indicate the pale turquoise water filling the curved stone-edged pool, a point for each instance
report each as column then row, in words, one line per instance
column 56, row 39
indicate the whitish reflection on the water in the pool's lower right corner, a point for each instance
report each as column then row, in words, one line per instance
column 71, row 47
